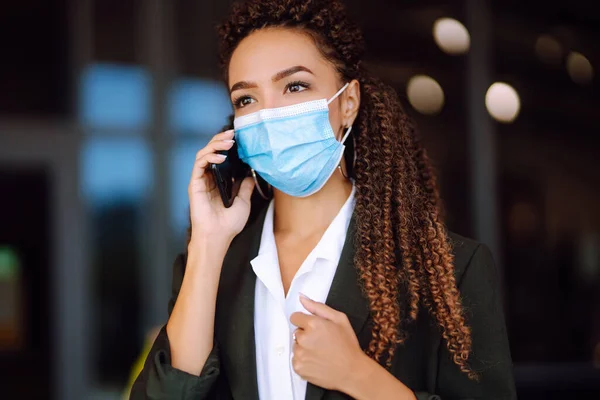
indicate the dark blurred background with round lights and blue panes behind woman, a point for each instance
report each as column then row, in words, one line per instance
column 103, row 104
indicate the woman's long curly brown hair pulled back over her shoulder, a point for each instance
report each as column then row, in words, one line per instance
column 398, row 208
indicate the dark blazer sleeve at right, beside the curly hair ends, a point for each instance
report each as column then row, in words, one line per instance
column 490, row 358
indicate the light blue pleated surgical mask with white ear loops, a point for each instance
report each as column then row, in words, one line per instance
column 293, row 148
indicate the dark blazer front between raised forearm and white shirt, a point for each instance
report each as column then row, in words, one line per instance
column 235, row 312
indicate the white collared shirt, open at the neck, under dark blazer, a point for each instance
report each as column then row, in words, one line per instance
column 272, row 310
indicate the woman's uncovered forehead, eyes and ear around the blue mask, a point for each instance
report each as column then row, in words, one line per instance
column 277, row 67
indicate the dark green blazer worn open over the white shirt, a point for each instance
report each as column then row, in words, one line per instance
column 422, row 363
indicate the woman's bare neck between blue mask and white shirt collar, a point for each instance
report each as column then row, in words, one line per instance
column 305, row 216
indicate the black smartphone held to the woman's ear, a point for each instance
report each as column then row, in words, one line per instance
column 229, row 175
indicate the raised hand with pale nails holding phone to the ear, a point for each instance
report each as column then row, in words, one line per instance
column 208, row 215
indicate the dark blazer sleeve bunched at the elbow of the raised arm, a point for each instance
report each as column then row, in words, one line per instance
column 159, row 380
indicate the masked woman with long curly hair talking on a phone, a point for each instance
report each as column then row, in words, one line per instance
column 346, row 284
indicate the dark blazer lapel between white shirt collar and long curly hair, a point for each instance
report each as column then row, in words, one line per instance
column 346, row 296
